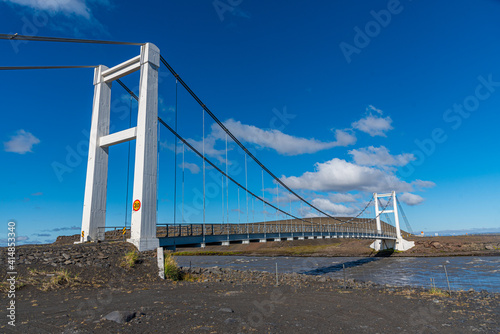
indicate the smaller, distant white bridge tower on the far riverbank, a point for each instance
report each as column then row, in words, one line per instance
column 380, row 244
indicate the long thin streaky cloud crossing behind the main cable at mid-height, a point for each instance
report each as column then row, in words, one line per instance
column 279, row 141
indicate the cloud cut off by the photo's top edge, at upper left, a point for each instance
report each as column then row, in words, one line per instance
column 67, row 7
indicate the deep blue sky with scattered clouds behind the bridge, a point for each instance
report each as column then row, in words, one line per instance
column 338, row 98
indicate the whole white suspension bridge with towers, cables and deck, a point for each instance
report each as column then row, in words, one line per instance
column 275, row 218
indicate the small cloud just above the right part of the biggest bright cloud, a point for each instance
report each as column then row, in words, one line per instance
column 379, row 156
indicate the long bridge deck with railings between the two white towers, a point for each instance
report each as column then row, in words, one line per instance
column 224, row 234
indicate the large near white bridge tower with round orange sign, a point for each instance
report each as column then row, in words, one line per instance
column 143, row 226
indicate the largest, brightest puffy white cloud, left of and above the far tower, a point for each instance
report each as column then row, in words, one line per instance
column 342, row 176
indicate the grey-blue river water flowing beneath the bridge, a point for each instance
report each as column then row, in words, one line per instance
column 464, row 273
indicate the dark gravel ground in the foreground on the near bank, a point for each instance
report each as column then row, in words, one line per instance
column 220, row 300
